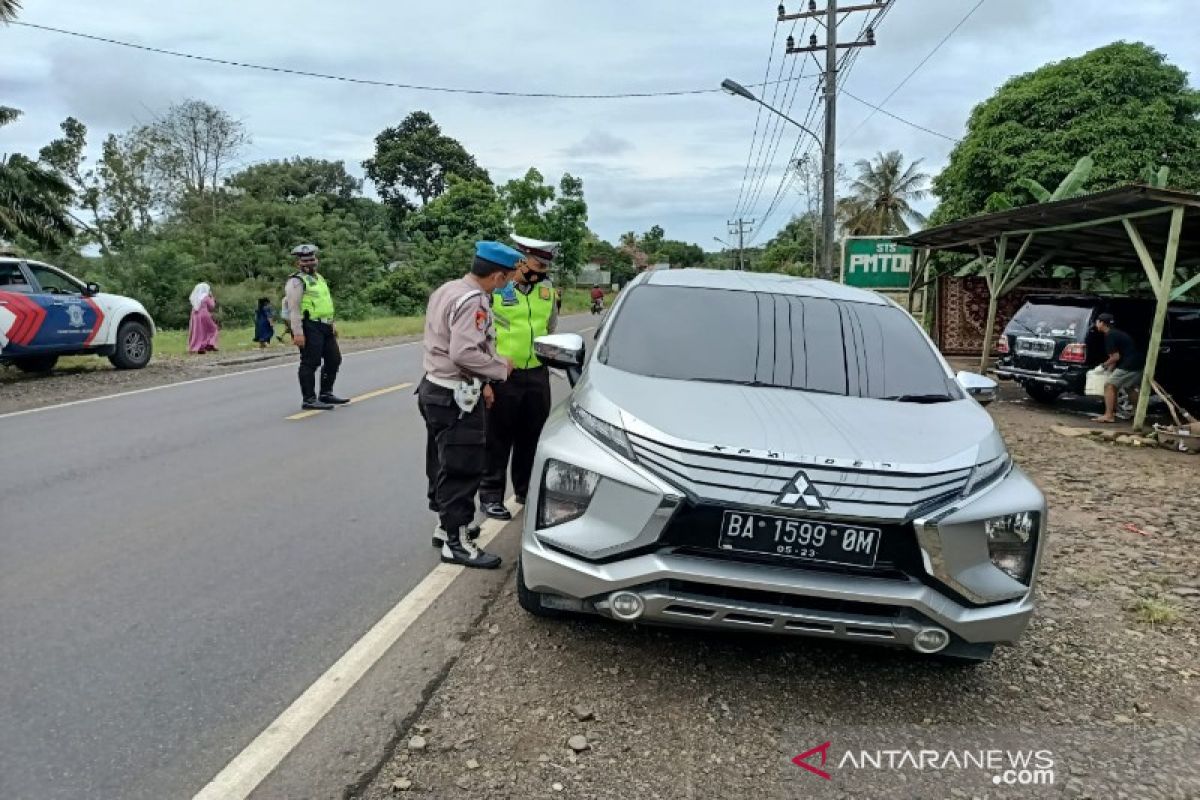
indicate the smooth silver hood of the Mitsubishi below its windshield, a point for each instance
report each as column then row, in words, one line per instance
column 796, row 424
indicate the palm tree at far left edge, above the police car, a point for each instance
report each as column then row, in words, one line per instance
column 33, row 201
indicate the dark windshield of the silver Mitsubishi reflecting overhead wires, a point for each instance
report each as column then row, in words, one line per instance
column 771, row 340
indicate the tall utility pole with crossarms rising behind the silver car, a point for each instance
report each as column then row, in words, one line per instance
column 830, row 155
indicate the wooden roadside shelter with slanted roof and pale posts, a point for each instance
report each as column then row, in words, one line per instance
column 1126, row 228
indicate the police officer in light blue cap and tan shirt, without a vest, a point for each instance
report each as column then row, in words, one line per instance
column 460, row 357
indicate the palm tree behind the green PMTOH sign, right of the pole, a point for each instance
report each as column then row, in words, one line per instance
column 883, row 196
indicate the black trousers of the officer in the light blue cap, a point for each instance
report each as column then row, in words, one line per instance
column 454, row 454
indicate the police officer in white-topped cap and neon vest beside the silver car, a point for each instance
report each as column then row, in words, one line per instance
column 525, row 310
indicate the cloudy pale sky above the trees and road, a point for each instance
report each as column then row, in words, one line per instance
column 679, row 163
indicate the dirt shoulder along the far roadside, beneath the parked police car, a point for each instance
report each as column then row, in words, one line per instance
column 94, row 377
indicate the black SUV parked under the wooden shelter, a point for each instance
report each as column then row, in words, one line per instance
column 1053, row 342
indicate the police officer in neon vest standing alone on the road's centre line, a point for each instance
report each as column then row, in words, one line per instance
column 311, row 317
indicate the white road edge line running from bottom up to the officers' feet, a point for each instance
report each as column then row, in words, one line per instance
column 243, row 775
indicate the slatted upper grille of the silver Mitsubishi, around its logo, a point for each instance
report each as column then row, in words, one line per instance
column 729, row 478
